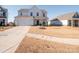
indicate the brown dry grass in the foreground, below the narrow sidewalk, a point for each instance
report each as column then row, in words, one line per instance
column 33, row 45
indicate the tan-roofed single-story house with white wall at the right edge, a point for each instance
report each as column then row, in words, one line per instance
column 69, row 19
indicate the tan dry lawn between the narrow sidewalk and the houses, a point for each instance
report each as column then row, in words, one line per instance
column 57, row 31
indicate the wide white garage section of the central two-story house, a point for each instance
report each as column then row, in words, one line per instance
column 24, row 21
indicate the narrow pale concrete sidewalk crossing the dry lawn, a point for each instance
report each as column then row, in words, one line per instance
column 55, row 39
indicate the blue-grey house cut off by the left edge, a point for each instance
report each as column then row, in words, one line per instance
column 3, row 16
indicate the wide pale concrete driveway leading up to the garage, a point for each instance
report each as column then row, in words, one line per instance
column 10, row 39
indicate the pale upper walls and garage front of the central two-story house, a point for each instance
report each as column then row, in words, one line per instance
column 27, row 13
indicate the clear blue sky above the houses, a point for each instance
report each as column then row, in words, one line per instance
column 52, row 10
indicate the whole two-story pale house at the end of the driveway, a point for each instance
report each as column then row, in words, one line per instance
column 33, row 16
